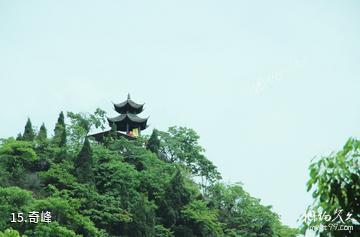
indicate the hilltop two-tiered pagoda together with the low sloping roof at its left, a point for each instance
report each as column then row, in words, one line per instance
column 127, row 124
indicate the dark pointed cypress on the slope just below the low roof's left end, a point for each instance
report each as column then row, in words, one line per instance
column 83, row 163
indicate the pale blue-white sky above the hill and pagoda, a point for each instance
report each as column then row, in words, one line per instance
column 268, row 86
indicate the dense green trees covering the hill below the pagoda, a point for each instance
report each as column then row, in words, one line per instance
column 142, row 187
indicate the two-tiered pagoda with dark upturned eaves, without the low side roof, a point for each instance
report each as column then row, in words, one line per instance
column 128, row 121
